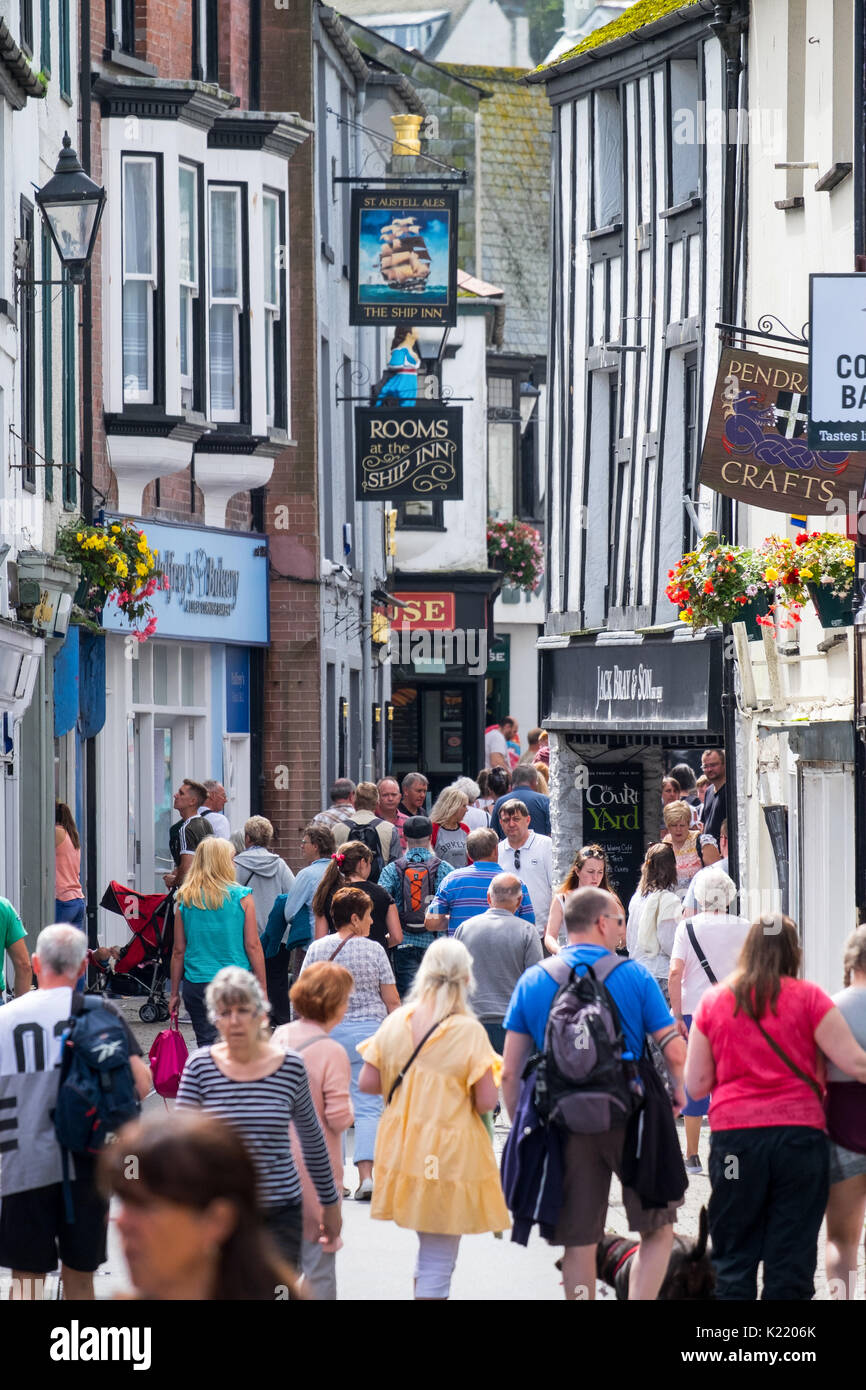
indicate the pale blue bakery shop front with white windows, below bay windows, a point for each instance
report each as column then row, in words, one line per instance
column 186, row 704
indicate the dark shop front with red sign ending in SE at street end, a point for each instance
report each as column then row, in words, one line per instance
column 439, row 651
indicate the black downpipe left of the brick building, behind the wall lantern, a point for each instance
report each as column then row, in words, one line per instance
column 87, row 464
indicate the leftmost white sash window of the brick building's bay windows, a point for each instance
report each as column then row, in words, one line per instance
column 141, row 279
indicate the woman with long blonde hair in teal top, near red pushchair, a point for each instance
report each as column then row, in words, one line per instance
column 215, row 926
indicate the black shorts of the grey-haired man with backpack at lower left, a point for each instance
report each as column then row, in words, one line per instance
column 34, row 1228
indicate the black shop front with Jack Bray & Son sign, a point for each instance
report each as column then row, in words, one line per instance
column 621, row 714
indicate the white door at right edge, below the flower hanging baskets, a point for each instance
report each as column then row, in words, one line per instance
column 826, row 890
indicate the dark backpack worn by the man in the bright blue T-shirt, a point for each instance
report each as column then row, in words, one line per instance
column 583, row 1085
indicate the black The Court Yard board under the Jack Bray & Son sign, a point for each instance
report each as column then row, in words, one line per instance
column 614, row 818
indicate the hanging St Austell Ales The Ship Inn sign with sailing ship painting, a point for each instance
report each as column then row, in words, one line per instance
column 404, row 258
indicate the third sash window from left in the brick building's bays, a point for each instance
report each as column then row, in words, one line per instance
column 226, row 302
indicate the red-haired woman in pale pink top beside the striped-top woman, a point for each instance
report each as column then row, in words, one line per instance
column 320, row 999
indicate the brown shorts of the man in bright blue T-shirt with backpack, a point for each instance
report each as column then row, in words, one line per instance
column 589, row 1164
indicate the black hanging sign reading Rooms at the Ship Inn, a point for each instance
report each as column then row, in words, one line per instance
column 409, row 452
